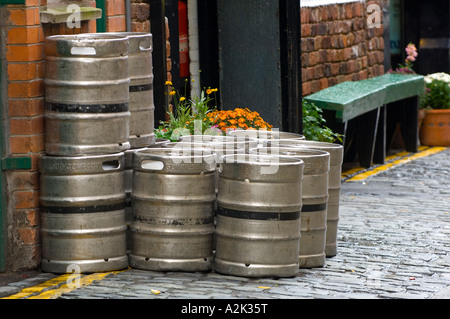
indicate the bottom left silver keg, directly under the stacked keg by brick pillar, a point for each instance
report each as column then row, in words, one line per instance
column 82, row 202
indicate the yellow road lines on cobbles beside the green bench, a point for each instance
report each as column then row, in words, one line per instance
column 394, row 160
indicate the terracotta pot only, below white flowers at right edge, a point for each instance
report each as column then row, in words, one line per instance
column 435, row 130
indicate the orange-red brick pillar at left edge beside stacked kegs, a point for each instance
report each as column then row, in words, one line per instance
column 23, row 63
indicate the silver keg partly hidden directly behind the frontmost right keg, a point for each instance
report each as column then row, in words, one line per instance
column 314, row 201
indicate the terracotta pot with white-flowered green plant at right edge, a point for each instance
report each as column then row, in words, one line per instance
column 435, row 129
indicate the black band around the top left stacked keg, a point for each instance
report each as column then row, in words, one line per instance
column 87, row 108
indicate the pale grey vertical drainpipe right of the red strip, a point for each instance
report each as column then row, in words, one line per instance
column 194, row 52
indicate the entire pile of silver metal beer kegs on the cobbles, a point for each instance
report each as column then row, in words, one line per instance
column 251, row 204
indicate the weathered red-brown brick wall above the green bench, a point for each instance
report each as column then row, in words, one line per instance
column 337, row 45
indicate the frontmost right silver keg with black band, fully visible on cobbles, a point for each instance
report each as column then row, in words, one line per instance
column 258, row 216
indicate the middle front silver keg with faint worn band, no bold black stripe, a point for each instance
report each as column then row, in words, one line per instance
column 173, row 209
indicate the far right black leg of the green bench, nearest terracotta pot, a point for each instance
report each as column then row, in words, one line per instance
column 409, row 123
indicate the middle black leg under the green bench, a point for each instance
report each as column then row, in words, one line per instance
column 368, row 124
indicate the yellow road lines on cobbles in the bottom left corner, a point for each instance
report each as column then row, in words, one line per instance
column 55, row 287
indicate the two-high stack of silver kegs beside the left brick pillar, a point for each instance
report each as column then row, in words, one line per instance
column 98, row 105
